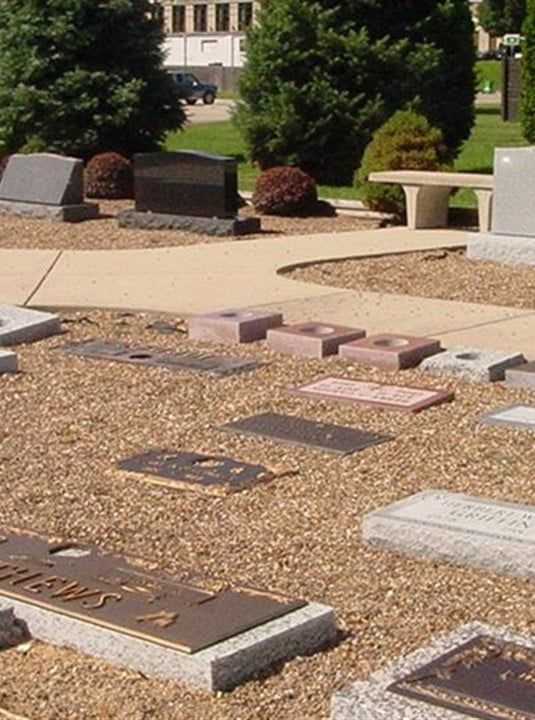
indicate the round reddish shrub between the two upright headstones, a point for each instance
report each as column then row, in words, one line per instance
column 109, row 176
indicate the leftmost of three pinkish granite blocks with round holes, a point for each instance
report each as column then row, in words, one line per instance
column 232, row 325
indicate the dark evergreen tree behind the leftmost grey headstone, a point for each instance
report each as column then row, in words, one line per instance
column 83, row 76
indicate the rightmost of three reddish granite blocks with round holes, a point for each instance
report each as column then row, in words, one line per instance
column 392, row 352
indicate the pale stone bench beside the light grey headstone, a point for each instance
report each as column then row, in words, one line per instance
column 427, row 193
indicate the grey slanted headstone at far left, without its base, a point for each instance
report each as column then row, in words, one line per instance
column 43, row 178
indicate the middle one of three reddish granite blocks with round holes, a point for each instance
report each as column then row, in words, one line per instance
column 312, row 339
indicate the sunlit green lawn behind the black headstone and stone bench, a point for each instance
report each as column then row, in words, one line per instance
column 476, row 155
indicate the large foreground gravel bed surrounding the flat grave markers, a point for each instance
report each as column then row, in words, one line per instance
column 65, row 420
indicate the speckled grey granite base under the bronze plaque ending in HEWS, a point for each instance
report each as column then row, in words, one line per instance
column 219, row 667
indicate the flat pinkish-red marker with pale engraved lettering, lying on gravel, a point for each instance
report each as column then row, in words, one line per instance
column 379, row 395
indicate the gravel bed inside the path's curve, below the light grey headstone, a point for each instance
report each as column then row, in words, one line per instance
column 446, row 274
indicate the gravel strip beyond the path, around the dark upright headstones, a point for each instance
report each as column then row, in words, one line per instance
column 105, row 234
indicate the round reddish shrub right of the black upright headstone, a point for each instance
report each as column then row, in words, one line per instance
column 285, row 191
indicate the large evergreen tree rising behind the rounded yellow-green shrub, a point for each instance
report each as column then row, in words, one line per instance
column 322, row 75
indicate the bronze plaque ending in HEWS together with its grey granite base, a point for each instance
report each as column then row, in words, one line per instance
column 172, row 614
